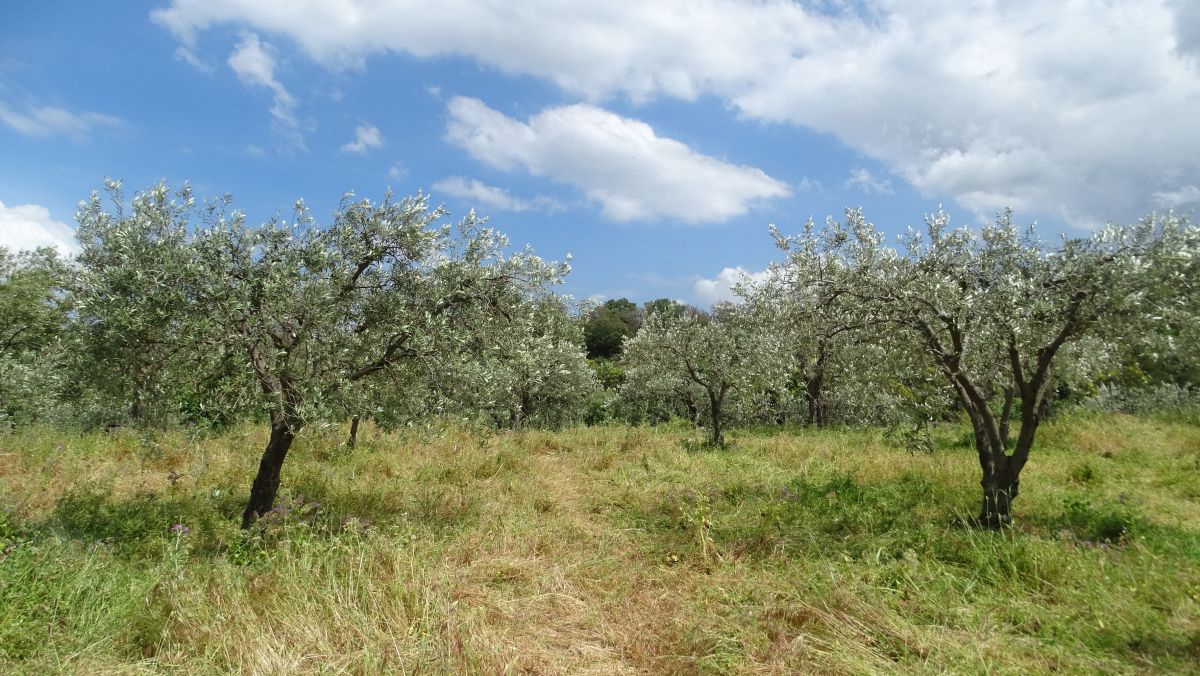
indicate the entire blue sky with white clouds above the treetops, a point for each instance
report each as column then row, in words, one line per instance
column 655, row 142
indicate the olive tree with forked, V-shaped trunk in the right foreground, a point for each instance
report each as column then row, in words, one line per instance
column 997, row 310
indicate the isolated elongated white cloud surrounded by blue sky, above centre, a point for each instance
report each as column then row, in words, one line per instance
column 619, row 163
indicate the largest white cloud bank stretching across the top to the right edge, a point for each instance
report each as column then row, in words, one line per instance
column 1083, row 110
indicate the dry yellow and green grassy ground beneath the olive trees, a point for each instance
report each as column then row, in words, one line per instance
column 601, row 551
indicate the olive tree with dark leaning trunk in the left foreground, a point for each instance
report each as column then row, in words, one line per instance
column 323, row 313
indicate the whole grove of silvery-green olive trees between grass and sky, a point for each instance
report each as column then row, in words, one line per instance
column 179, row 313
